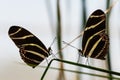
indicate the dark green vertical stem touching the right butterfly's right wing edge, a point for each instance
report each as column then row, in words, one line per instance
column 107, row 23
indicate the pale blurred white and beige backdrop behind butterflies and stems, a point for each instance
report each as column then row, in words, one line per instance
column 41, row 18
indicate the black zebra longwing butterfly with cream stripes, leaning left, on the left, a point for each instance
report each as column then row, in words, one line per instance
column 32, row 50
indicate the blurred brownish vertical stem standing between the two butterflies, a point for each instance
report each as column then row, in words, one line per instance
column 59, row 39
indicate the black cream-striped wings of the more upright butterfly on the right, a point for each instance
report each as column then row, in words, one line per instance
column 95, row 40
